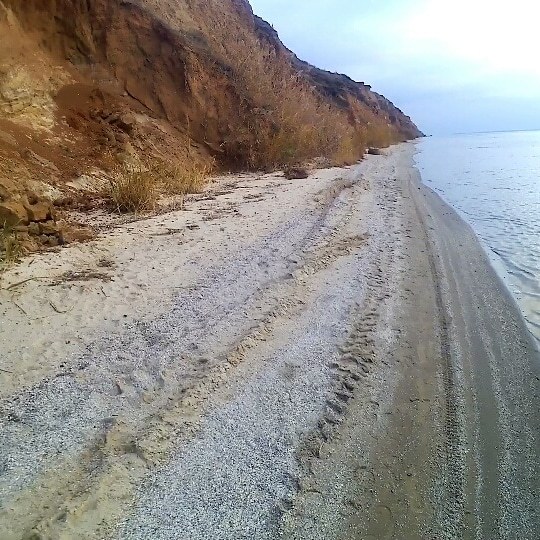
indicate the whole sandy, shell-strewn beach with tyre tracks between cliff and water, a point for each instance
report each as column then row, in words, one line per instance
column 324, row 358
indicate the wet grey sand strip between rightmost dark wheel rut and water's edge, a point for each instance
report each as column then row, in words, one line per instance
column 496, row 359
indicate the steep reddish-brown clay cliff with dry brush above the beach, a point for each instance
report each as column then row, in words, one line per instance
column 85, row 84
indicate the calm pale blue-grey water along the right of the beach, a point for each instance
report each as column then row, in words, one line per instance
column 493, row 181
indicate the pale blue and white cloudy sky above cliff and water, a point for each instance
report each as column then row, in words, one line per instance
column 459, row 66
